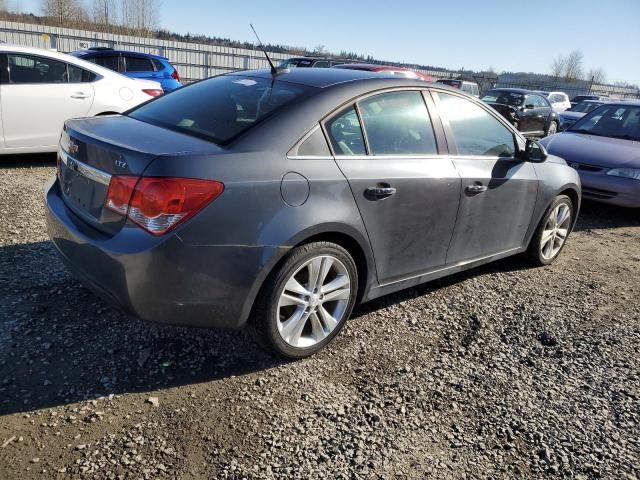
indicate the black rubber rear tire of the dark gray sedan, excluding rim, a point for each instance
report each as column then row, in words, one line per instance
column 264, row 320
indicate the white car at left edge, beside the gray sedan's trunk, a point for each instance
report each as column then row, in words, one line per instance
column 40, row 89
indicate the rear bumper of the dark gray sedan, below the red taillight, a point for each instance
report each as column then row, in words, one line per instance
column 160, row 279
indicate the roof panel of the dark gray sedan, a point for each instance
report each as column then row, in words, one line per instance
column 327, row 77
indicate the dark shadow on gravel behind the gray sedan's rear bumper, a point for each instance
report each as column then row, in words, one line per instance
column 59, row 343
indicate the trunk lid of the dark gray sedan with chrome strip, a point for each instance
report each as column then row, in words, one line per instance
column 92, row 151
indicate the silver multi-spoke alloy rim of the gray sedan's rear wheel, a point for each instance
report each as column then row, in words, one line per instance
column 313, row 301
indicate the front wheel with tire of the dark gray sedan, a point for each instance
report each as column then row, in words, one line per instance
column 552, row 232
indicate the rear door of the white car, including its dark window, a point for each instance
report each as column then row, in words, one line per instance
column 39, row 96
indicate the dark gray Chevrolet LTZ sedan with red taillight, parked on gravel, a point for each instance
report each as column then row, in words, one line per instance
column 281, row 200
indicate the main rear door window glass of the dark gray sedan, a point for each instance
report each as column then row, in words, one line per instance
column 398, row 123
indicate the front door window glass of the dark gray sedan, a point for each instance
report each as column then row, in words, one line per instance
column 475, row 131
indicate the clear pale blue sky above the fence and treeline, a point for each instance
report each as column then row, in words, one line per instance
column 509, row 35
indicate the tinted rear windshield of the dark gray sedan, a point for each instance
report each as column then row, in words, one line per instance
column 220, row 108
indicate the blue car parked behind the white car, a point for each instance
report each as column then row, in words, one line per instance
column 134, row 65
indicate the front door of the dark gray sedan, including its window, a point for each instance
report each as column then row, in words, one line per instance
column 498, row 190
